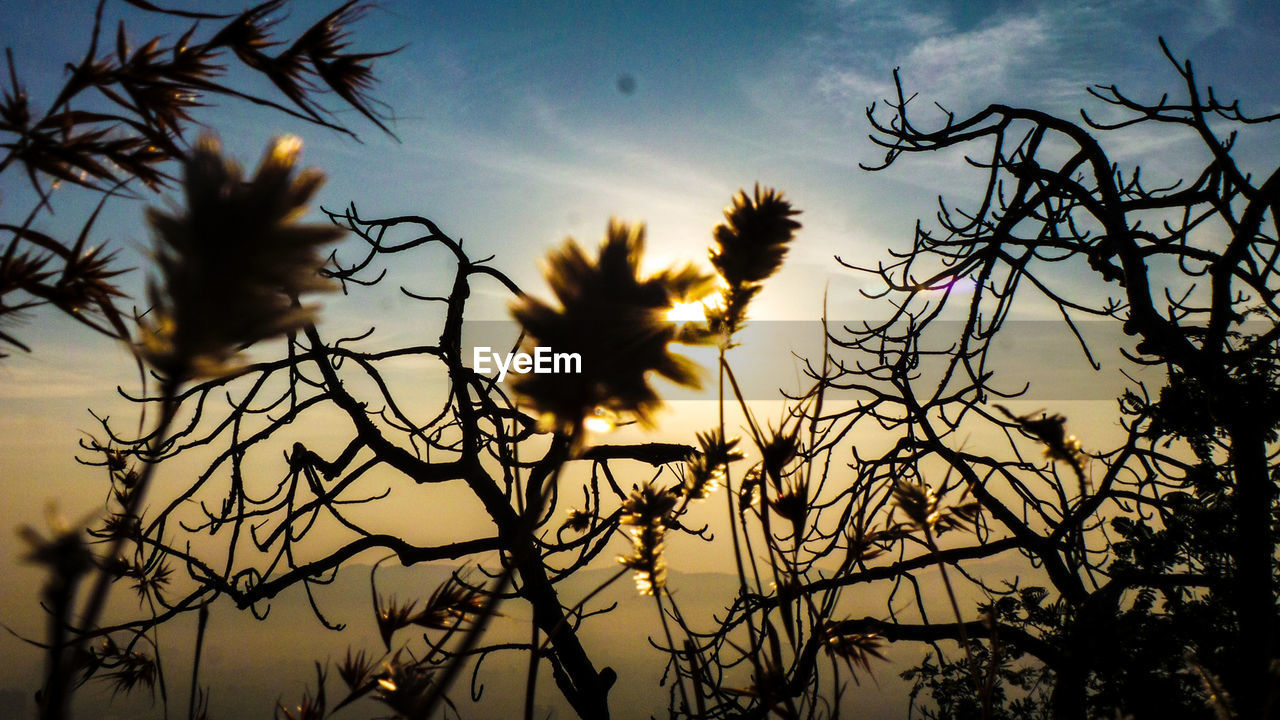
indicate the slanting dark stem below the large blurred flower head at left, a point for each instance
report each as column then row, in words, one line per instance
column 57, row 690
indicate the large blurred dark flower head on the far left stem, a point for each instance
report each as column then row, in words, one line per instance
column 234, row 263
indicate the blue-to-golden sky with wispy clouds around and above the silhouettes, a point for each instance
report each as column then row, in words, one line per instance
column 523, row 124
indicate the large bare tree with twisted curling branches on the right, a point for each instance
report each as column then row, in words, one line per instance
column 1148, row 578
